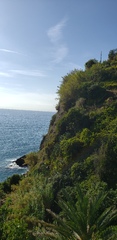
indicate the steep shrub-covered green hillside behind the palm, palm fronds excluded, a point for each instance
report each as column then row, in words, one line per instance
column 80, row 148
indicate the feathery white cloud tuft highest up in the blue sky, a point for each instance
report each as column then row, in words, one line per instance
column 55, row 33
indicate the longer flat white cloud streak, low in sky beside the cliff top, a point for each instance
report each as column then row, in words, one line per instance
column 32, row 73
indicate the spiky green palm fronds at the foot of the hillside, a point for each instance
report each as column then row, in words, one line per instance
column 86, row 219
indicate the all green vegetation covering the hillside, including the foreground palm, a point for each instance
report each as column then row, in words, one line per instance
column 70, row 190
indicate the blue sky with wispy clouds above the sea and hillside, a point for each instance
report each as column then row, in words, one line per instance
column 43, row 40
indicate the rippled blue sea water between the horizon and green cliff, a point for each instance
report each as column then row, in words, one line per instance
column 21, row 132
